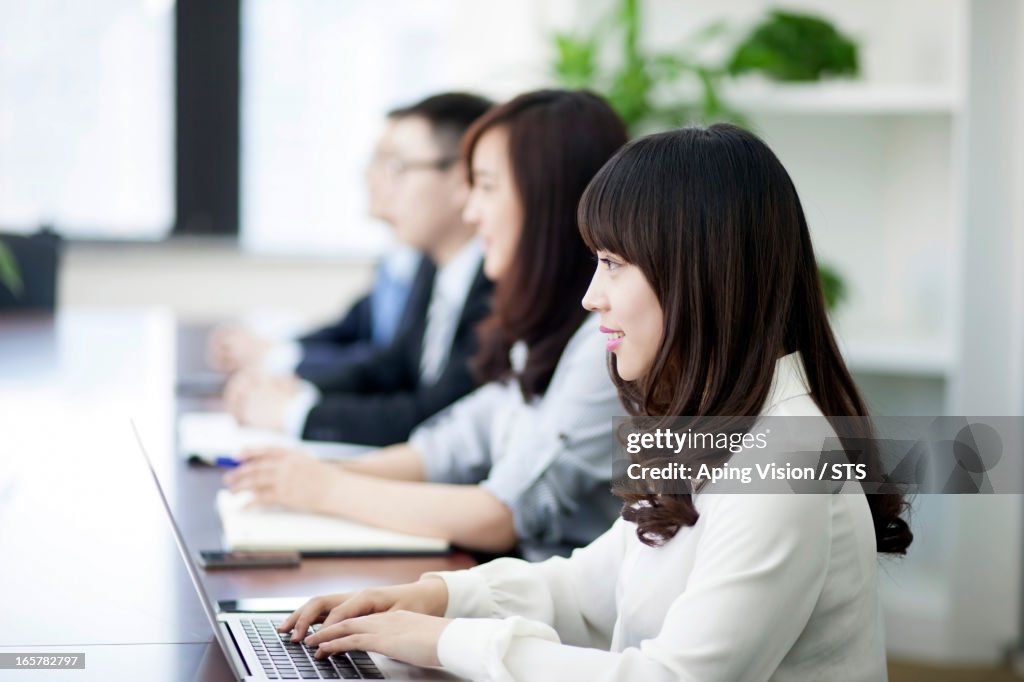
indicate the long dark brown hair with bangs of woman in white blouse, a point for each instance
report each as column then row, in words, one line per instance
column 713, row 221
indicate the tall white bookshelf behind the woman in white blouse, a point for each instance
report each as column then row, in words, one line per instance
column 911, row 182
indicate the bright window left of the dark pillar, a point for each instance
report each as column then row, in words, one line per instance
column 87, row 117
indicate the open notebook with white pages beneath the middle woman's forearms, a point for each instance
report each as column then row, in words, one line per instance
column 271, row 529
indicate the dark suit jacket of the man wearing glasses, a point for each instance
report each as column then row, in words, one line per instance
column 380, row 401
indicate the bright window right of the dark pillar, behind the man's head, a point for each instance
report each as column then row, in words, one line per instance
column 318, row 77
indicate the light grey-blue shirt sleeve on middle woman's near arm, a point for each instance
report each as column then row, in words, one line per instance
column 556, row 475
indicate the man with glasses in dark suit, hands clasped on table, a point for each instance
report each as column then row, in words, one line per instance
column 380, row 400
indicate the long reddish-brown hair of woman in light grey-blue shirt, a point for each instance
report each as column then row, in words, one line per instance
column 558, row 141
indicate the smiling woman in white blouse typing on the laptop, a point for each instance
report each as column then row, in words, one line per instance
column 708, row 289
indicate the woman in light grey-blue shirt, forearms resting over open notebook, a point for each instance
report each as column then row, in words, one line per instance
column 524, row 462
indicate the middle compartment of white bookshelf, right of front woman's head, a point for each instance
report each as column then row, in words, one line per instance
column 878, row 181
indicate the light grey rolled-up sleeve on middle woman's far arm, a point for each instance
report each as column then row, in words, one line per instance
column 455, row 446
